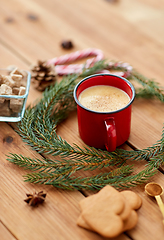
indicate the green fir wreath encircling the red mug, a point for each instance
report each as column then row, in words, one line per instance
column 38, row 129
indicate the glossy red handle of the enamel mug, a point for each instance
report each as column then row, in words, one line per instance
column 111, row 137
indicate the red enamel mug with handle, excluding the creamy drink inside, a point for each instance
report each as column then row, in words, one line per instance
column 104, row 129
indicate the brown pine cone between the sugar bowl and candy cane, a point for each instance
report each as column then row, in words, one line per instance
column 43, row 75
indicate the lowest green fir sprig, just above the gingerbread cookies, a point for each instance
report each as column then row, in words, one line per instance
column 78, row 182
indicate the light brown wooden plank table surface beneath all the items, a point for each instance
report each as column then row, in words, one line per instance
column 126, row 30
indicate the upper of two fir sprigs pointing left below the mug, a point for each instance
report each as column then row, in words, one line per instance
column 96, row 159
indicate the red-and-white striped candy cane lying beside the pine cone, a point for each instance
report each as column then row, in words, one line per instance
column 69, row 58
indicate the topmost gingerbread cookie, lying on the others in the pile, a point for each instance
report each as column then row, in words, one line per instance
column 105, row 220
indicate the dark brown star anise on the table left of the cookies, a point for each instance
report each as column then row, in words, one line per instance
column 35, row 198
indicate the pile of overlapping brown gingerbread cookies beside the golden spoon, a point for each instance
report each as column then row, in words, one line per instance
column 109, row 212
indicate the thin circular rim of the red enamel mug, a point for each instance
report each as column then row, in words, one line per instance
column 104, row 74
